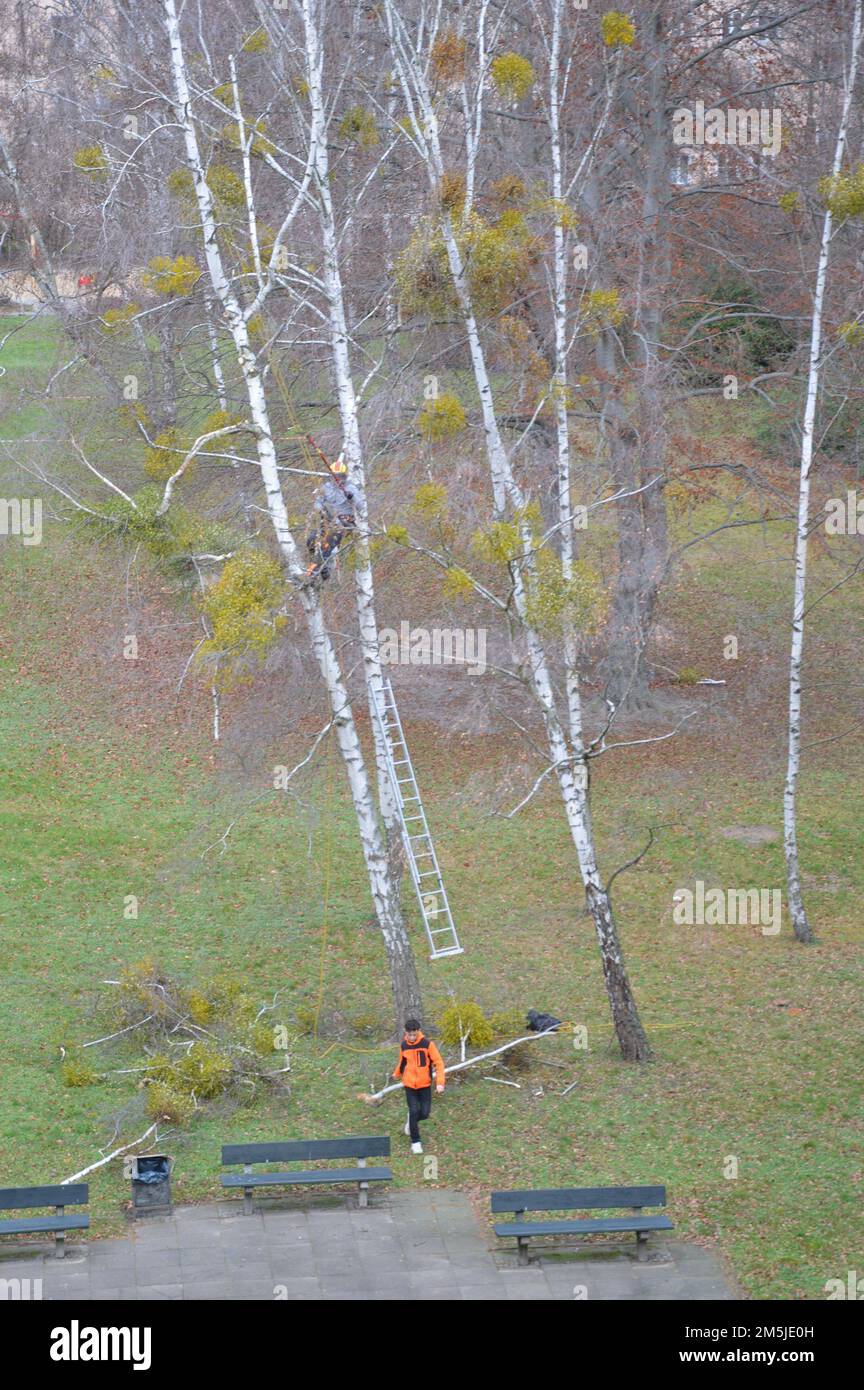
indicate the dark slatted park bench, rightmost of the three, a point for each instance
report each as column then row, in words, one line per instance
column 581, row 1199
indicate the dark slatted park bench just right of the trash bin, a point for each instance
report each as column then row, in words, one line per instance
column 308, row 1152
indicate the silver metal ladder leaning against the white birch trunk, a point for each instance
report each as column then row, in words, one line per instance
column 420, row 851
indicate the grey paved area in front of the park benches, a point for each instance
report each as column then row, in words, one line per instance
column 409, row 1245
